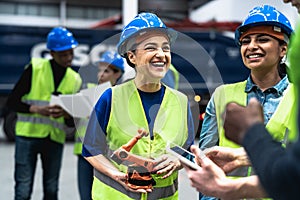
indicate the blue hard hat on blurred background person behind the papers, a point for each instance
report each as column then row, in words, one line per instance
column 113, row 58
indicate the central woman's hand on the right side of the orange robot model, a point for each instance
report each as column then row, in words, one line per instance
column 166, row 165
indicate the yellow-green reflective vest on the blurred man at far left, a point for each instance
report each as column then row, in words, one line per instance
column 42, row 86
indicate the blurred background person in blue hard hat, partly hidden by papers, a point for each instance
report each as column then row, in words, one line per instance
column 110, row 68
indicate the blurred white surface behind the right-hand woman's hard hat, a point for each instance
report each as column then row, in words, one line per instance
column 237, row 10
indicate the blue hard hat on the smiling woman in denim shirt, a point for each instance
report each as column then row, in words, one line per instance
column 264, row 15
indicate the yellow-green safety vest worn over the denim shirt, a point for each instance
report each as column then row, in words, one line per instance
column 279, row 124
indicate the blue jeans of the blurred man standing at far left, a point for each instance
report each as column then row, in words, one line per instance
column 26, row 154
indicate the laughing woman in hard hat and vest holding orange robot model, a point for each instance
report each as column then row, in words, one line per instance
column 140, row 106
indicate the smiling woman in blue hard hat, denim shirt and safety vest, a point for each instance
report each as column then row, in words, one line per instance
column 263, row 39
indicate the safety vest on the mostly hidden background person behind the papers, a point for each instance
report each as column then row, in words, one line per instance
column 81, row 129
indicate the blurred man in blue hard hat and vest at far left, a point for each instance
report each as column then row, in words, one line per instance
column 40, row 127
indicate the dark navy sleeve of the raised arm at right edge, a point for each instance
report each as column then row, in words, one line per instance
column 277, row 168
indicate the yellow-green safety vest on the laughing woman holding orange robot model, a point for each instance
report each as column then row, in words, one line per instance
column 126, row 117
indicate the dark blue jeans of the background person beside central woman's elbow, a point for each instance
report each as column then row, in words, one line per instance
column 85, row 174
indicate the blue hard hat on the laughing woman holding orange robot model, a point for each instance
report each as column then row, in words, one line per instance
column 143, row 22
